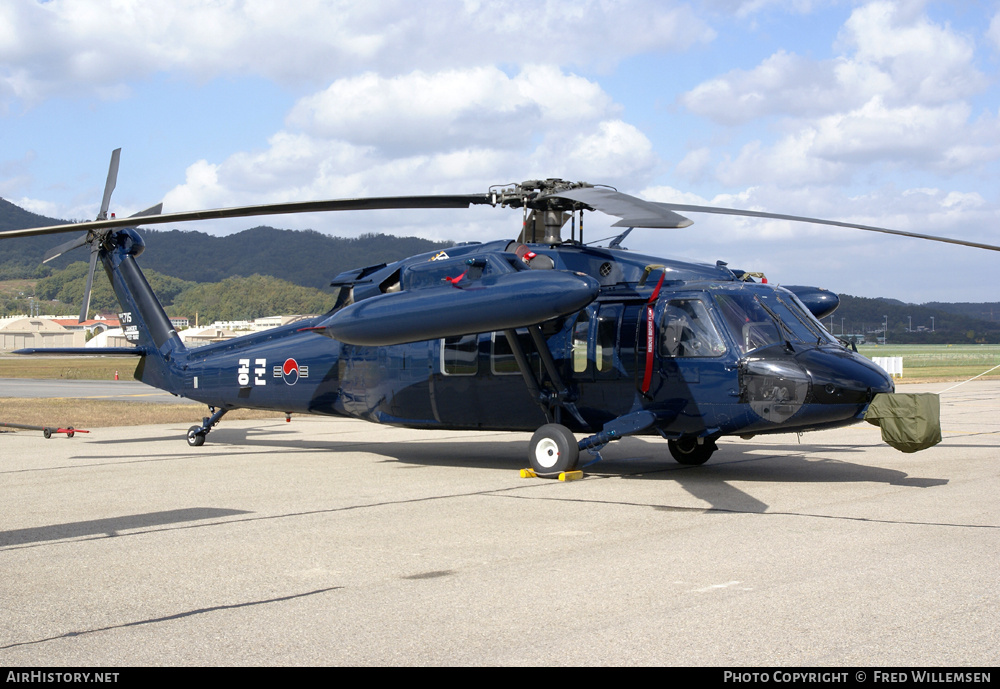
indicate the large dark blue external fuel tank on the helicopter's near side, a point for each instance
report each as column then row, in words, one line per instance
column 495, row 303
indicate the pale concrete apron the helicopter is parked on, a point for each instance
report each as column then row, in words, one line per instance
column 336, row 542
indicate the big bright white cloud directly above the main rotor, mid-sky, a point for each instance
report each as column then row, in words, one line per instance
column 456, row 131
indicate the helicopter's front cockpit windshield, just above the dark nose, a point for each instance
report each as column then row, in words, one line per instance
column 760, row 319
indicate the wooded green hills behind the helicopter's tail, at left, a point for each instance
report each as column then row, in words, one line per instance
column 256, row 272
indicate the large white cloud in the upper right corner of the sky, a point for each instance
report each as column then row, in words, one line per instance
column 897, row 96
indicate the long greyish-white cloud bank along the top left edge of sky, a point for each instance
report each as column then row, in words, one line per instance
column 94, row 47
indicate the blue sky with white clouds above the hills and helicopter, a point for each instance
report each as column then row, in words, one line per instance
column 883, row 113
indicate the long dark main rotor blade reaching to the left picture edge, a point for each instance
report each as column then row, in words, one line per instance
column 376, row 203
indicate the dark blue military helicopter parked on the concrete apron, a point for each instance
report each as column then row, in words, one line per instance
column 541, row 333
